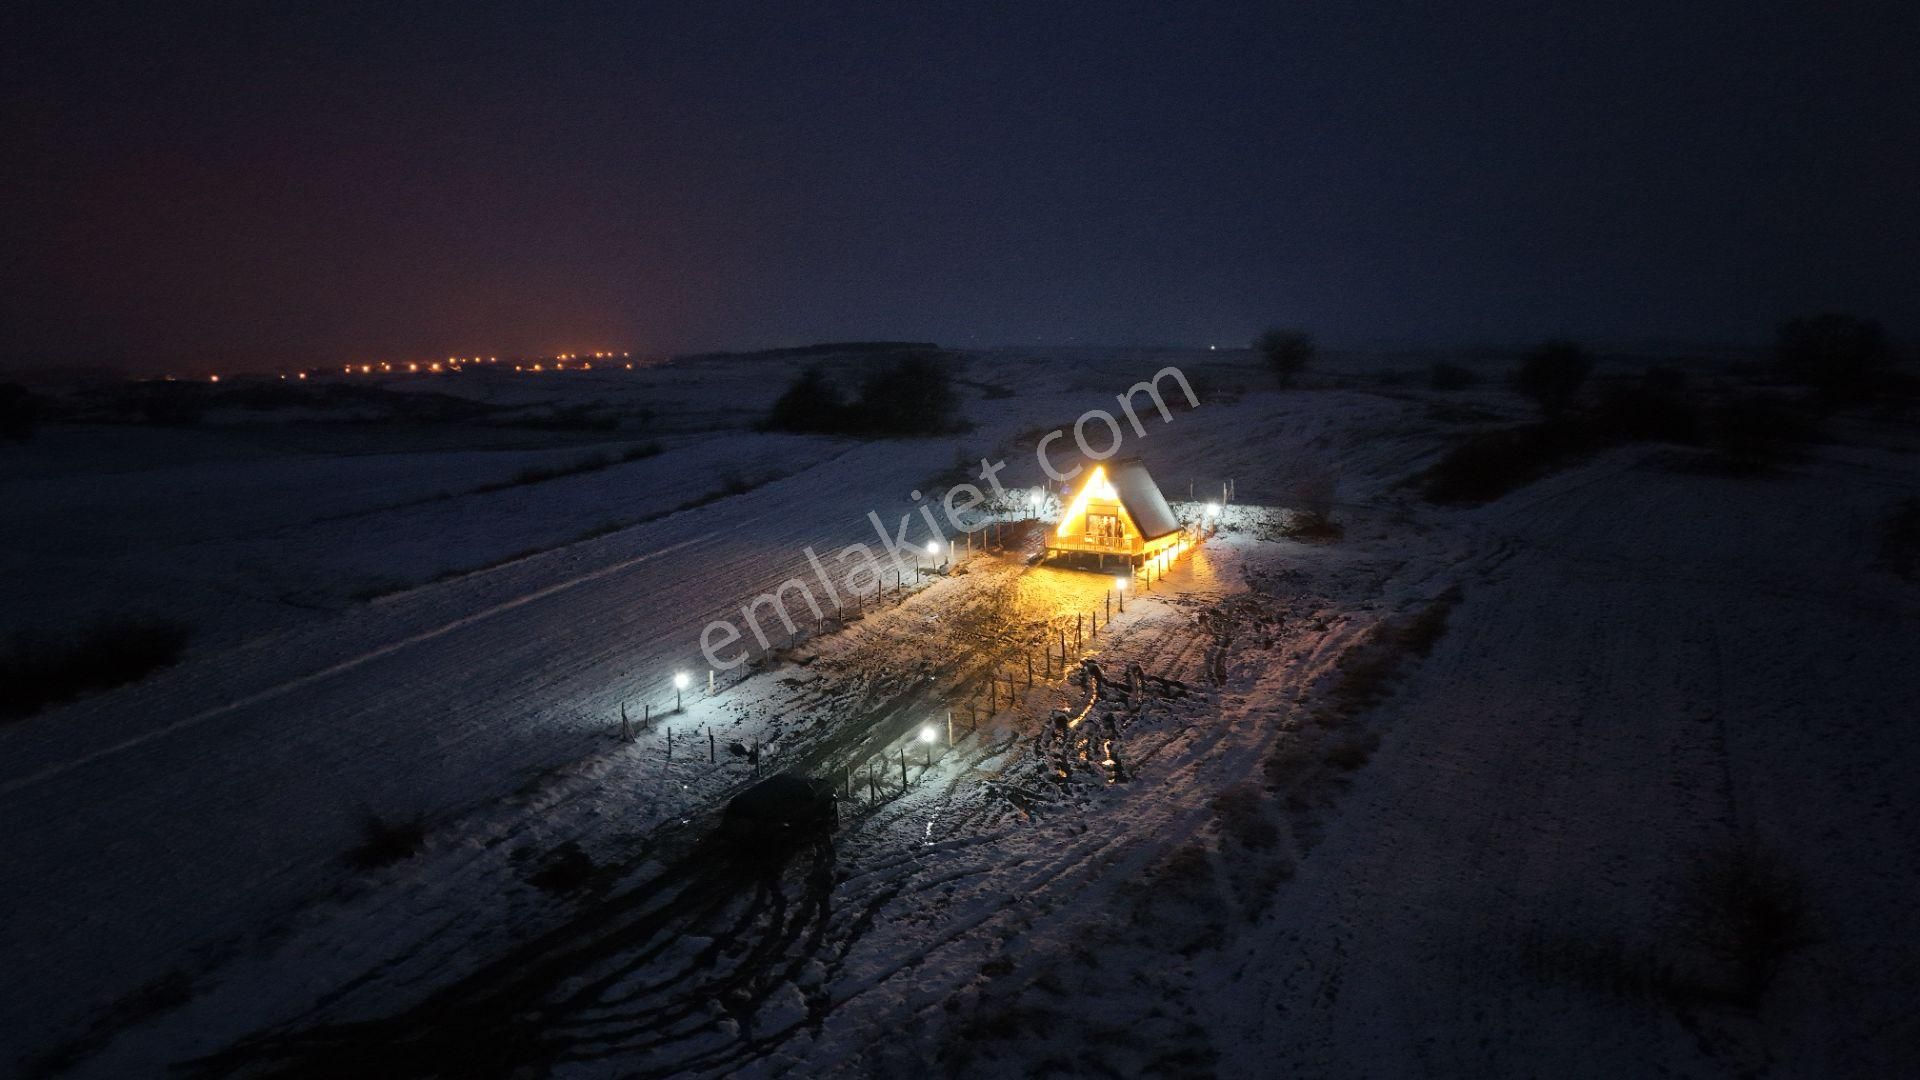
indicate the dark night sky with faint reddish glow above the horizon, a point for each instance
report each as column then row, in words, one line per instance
column 329, row 182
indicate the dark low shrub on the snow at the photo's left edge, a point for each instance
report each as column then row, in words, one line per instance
column 39, row 672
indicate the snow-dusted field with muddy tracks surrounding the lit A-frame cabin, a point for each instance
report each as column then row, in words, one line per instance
column 1420, row 800
